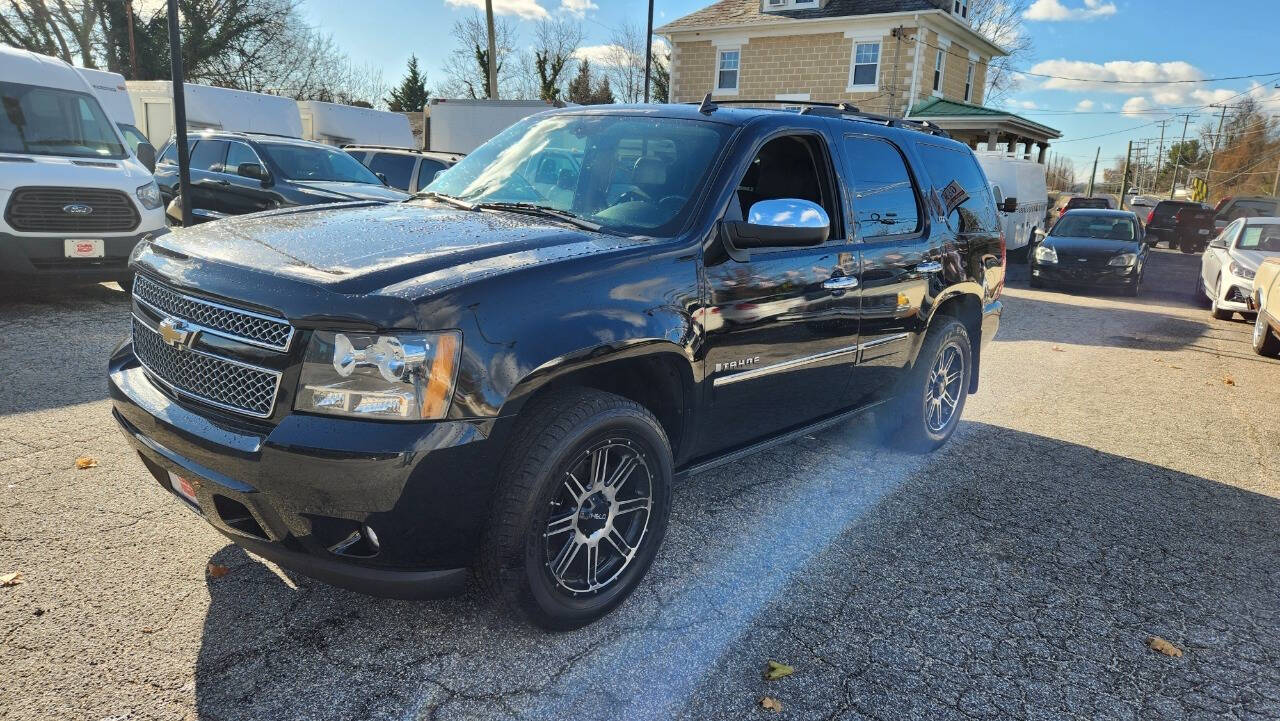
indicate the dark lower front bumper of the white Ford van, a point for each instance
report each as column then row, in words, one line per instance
column 40, row 258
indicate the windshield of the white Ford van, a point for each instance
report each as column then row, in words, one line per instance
column 44, row 121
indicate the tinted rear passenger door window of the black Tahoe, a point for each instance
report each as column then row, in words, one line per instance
column 885, row 199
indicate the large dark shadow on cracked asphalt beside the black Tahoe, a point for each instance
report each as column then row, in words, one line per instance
column 1008, row 576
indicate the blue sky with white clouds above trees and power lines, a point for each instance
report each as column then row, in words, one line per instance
column 1153, row 40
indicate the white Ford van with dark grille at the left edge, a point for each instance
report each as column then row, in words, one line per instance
column 76, row 199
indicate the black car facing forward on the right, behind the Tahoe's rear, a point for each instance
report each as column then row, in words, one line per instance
column 1092, row 249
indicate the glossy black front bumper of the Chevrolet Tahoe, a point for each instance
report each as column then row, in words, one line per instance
column 385, row 509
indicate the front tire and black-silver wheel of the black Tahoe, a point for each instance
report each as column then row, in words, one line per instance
column 550, row 446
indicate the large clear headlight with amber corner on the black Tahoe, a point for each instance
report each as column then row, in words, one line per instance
column 394, row 376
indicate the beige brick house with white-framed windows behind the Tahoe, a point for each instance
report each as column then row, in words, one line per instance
column 883, row 56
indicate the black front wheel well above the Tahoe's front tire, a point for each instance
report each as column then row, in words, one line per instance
column 656, row 382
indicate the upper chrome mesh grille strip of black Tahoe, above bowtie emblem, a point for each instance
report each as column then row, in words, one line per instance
column 239, row 325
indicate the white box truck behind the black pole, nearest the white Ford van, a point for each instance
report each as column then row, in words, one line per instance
column 213, row 108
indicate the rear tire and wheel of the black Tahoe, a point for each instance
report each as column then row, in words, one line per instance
column 916, row 404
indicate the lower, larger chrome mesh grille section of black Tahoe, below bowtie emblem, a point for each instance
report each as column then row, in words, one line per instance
column 217, row 381
